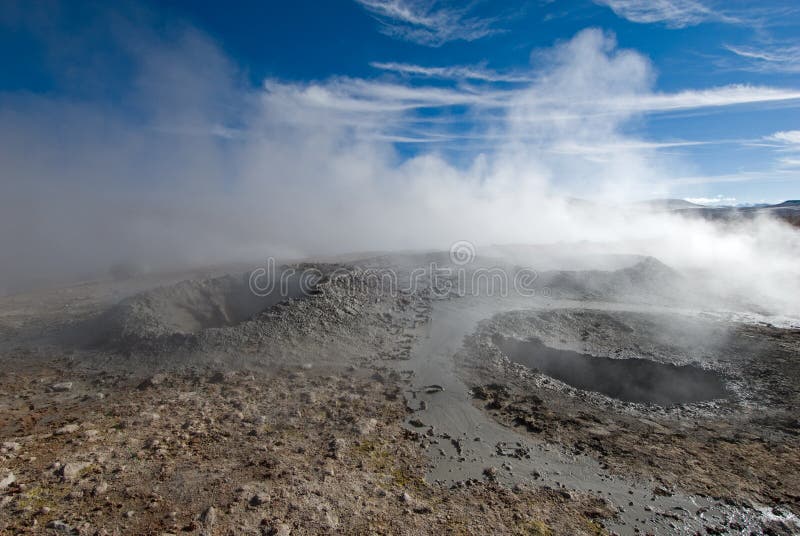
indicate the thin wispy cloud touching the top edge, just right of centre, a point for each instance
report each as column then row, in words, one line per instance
column 428, row 22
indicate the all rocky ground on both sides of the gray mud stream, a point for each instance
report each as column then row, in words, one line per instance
column 155, row 406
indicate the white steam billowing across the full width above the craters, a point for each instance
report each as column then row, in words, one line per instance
column 196, row 166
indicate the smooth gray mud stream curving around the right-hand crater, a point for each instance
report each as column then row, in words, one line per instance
column 465, row 444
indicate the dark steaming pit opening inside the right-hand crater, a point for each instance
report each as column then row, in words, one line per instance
column 629, row 380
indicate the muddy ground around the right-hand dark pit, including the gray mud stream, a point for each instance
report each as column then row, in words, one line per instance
column 674, row 457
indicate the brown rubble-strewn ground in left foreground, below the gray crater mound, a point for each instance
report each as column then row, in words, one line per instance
column 296, row 451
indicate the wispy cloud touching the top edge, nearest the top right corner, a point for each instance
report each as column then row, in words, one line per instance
column 672, row 13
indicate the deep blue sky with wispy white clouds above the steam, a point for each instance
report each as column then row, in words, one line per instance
column 688, row 98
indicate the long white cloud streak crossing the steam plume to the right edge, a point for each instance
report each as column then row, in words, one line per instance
column 360, row 98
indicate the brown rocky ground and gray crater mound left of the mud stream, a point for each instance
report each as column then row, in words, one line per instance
column 287, row 423
